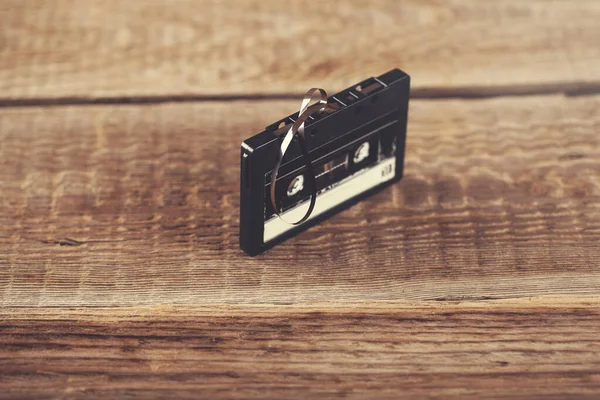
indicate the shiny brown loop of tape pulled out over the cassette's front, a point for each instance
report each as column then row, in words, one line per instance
column 298, row 129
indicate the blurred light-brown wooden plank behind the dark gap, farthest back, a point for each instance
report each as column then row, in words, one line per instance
column 62, row 48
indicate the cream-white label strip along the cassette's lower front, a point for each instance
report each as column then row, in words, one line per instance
column 352, row 186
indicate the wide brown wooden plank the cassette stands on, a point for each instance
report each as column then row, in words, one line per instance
column 132, row 205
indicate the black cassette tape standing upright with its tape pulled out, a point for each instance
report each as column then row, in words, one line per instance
column 322, row 159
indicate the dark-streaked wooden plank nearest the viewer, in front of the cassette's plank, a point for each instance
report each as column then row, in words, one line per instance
column 525, row 349
